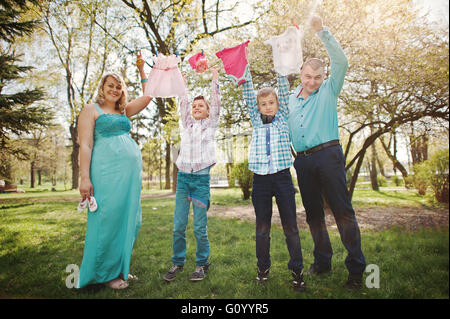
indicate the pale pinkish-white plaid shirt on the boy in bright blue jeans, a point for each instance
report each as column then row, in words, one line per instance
column 198, row 147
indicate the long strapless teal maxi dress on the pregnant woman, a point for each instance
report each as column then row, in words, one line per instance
column 116, row 175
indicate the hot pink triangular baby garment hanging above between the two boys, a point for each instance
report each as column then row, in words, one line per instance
column 235, row 63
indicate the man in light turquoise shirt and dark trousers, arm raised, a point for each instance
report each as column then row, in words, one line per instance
column 320, row 162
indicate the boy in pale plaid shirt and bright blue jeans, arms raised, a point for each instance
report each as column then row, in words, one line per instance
column 197, row 156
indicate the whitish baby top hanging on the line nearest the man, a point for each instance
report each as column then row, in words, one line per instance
column 287, row 51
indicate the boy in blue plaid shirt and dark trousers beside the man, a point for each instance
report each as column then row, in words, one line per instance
column 270, row 160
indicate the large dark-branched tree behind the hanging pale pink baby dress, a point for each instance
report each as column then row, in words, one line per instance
column 177, row 27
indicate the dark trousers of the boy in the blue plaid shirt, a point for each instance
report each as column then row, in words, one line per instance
column 264, row 188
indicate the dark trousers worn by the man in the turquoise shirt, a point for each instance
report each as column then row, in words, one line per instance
column 320, row 173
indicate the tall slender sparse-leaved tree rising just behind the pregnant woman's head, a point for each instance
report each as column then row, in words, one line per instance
column 82, row 49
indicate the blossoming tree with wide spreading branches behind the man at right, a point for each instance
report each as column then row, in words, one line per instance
column 398, row 67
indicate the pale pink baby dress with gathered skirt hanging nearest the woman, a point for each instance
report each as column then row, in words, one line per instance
column 165, row 79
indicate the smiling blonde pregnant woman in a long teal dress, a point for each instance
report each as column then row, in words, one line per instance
column 111, row 171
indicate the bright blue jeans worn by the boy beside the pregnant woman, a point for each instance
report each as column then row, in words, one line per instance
column 191, row 187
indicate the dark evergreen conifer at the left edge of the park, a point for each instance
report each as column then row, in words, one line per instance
column 19, row 112
